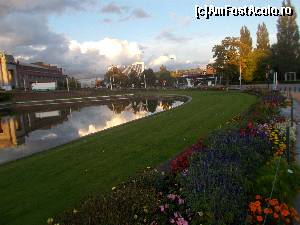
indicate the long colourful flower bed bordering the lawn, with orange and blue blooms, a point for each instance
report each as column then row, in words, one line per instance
column 211, row 183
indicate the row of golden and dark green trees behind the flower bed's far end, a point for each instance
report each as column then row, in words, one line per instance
column 237, row 55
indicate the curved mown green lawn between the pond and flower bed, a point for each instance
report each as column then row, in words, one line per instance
column 38, row 187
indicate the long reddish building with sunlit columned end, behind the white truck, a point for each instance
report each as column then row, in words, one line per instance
column 14, row 74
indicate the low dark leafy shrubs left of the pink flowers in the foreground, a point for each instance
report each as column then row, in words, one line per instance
column 130, row 203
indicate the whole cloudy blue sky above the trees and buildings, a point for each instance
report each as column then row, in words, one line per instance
column 85, row 36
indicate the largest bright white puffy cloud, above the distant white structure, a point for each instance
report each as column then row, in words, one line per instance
column 93, row 57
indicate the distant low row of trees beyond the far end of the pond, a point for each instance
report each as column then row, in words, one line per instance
column 162, row 78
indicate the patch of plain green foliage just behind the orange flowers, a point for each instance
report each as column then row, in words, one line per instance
column 287, row 182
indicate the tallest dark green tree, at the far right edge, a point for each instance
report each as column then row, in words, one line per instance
column 287, row 47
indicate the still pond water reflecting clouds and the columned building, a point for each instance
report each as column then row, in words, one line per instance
column 38, row 128
